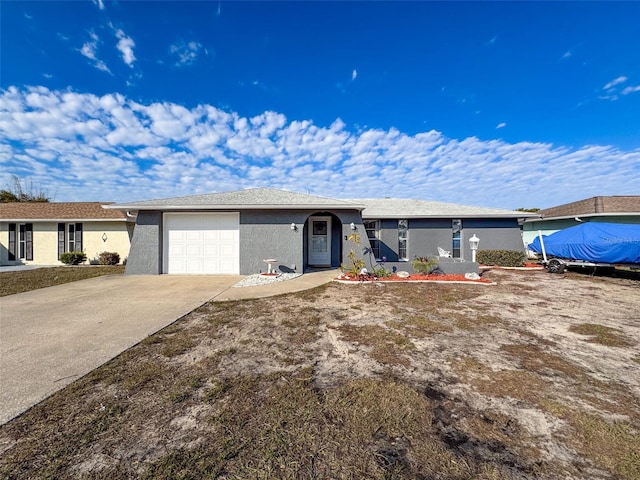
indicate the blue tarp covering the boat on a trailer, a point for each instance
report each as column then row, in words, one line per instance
column 593, row 242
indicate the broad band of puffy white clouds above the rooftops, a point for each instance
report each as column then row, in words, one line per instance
column 82, row 145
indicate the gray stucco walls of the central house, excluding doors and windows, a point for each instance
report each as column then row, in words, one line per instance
column 268, row 234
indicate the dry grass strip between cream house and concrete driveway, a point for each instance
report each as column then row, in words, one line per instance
column 27, row 280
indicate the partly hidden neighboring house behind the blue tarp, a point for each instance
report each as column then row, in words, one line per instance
column 612, row 209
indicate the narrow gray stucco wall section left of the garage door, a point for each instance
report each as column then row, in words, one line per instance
column 145, row 254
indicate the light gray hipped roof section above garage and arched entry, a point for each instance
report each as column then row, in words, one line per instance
column 253, row 198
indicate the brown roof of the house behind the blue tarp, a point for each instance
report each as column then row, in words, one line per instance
column 594, row 206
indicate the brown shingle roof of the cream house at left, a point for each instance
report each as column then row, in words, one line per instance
column 54, row 211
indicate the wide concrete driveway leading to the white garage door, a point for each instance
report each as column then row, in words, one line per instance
column 52, row 336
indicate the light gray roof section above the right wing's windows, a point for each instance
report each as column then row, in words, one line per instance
column 380, row 208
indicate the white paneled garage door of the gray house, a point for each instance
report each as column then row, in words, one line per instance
column 201, row 243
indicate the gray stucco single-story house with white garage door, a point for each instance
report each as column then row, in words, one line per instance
column 236, row 232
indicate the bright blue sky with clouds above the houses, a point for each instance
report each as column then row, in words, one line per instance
column 493, row 104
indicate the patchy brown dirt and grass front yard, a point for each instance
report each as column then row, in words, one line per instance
column 536, row 377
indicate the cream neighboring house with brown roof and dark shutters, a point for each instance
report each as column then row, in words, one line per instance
column 36, row 233
